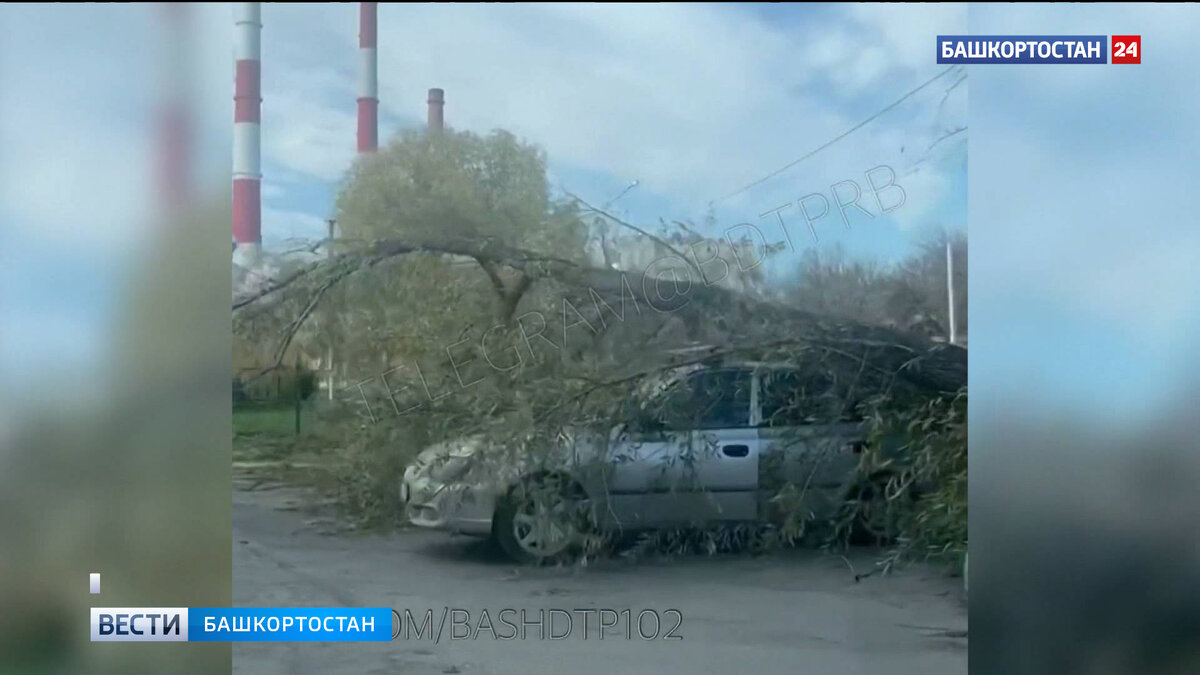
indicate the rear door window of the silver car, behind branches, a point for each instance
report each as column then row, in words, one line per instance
column 795, row 398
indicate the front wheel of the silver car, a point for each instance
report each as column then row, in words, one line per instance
column 539, row 521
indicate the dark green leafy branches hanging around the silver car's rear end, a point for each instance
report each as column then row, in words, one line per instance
column 917, row 459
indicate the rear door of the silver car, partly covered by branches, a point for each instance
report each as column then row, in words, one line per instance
column 811, row 432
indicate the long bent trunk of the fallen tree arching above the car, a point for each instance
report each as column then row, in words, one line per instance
column 700, row 313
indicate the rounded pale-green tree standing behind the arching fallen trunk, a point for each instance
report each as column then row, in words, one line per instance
column 433, row 192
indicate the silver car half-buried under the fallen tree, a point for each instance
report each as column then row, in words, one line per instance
column 701, row 446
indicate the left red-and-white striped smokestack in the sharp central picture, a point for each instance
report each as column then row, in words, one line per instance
column 248, row 208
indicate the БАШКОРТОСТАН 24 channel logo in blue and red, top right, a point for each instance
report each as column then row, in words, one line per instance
column 961, row 50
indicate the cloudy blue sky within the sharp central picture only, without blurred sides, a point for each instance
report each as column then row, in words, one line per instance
column 692, row 101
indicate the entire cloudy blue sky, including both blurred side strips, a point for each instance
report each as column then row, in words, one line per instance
column 1082, row 200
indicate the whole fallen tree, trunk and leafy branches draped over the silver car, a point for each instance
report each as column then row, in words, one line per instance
column 591, row 336
